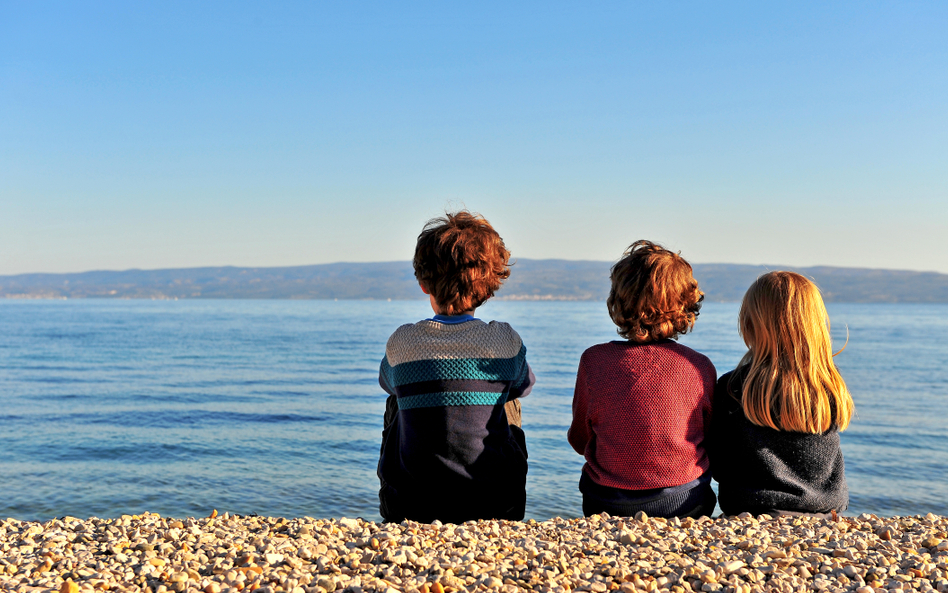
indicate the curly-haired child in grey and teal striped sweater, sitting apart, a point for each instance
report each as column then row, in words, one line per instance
column 452, row 449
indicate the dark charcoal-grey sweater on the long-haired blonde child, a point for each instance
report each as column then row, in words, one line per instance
column 761, row 470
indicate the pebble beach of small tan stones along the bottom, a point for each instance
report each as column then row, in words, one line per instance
column 231, row 554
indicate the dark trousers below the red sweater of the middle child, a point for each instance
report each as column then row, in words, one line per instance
column 693, row 499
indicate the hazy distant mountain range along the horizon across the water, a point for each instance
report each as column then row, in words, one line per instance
column 548, row 279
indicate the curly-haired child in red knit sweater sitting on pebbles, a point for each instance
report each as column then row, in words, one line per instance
column 641, row 406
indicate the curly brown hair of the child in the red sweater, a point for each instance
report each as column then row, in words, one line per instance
column 654, row 295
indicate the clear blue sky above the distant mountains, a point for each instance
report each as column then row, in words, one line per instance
column 182, row 134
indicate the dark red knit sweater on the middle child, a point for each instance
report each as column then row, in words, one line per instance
column 640, row 413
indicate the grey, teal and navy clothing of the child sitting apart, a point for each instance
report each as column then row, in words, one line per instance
column 448, row 379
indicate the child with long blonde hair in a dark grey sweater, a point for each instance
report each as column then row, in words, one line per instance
column 774, row 439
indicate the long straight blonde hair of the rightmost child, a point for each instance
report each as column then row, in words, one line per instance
column 791, row 383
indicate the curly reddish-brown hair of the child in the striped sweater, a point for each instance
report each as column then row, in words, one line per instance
column 461, row 261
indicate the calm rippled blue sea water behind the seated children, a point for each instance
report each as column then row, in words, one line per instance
column 273, row 407
